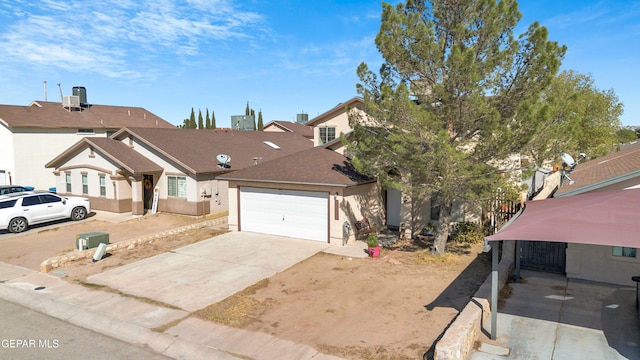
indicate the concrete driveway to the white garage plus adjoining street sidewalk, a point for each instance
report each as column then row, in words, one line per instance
column 189, row 278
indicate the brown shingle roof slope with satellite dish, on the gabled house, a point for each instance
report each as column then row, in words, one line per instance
column 195, row 150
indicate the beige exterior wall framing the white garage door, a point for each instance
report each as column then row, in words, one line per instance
column 352, row 204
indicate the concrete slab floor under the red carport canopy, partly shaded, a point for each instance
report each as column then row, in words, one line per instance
column 549, row 316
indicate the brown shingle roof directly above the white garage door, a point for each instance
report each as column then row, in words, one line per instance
column 316, row 166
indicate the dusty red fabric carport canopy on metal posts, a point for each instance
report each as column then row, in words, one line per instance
column 603, row 218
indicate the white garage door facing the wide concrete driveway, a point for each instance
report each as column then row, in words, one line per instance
column 299, row 214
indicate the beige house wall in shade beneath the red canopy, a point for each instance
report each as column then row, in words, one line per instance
column 596, row 263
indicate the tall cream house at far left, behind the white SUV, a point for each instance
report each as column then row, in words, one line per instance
column 31, row 135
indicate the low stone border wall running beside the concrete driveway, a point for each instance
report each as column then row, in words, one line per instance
column 62, row 260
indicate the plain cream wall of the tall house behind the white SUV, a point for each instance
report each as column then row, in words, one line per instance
column 33, row 148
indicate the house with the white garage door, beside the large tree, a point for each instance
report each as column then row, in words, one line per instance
column 315, row 194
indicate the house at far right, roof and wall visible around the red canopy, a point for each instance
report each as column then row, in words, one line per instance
column 619, row 170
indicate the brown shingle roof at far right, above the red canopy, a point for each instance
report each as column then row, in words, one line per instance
column 605, row 170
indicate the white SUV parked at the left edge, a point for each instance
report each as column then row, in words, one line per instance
column 20, row 210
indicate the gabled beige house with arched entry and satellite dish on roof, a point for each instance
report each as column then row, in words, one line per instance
column 122, row 173
